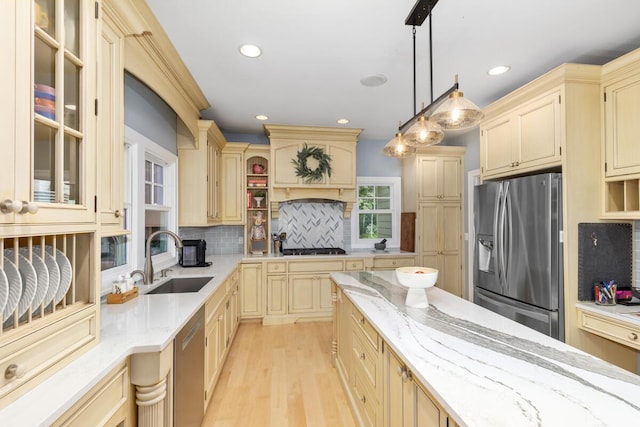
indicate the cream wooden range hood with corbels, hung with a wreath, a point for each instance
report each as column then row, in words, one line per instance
column 287, row 142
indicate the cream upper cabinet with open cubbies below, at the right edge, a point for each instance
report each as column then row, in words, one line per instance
column 621, row 107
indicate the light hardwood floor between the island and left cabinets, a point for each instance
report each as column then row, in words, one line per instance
column 280, row 376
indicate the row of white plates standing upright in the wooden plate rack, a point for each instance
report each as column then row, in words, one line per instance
column 32, row 281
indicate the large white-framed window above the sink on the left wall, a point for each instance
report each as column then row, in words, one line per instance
column 150, row 205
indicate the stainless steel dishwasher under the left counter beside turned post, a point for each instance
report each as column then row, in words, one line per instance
column 188, row 374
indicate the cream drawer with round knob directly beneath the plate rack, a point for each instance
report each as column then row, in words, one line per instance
column 35, row 353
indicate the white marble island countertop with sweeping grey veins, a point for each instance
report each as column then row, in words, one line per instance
column 486, row 370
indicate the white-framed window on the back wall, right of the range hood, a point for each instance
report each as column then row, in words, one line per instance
column 376, row 215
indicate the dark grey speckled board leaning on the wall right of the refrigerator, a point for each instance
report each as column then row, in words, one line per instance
column 605, row 250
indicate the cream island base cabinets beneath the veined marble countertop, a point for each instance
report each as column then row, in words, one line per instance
column 379, row 385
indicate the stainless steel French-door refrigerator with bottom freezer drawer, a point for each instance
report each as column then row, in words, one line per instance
column 518, row 270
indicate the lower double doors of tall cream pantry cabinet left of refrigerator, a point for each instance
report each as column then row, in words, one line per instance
column 440, row 243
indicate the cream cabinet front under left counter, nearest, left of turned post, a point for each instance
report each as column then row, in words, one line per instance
column 110, row 403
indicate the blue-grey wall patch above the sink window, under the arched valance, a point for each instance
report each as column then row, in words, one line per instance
column 148, row 114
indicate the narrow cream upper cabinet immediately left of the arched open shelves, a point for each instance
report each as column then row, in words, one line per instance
column 233, row 199
